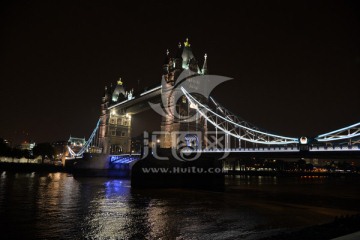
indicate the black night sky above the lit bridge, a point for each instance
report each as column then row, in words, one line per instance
column 295, row 64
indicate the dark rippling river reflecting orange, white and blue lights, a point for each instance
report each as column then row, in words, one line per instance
column 59, row 206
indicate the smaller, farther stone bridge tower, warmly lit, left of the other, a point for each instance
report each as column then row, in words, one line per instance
column 115, row 124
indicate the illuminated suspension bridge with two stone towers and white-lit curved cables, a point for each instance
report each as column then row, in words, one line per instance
column 195, row 123
